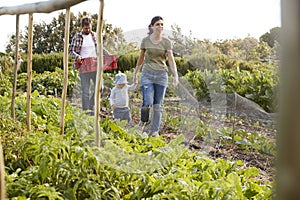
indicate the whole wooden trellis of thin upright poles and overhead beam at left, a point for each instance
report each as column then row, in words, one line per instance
column 47, row 7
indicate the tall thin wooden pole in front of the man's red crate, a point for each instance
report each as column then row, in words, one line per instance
column 99, row 78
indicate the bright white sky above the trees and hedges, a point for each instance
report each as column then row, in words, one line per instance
column 204, row 19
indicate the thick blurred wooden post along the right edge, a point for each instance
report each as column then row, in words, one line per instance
column 287, row 183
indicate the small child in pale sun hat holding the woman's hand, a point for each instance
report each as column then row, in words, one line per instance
column 119, row 98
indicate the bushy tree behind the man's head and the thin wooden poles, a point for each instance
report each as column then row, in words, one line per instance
column 47, row 38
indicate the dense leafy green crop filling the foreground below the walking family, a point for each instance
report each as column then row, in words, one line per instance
column 43, row 164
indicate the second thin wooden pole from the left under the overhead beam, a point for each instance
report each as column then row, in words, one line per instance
column 29, row 71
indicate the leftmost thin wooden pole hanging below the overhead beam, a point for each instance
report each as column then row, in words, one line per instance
column 15, row 67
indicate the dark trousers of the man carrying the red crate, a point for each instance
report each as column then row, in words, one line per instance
column 87, row 93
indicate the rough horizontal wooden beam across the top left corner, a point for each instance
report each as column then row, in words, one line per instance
column 39, row 7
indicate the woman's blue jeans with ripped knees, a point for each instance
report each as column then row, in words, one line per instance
column 154, row 85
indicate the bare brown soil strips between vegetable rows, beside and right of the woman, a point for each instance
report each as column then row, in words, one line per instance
column 218, row 149
